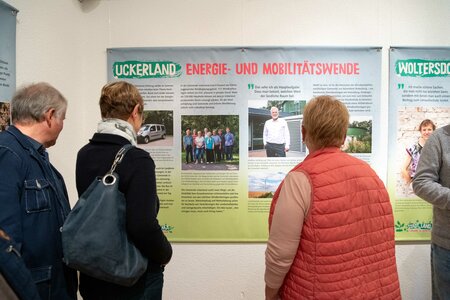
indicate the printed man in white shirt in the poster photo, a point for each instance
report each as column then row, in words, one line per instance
column 276, row 136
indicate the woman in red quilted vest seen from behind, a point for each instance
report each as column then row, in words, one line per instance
column 331, row 227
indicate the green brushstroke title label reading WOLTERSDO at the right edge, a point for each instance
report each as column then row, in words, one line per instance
column 422, row 68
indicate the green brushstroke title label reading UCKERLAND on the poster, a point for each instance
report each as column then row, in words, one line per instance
column 146, row 69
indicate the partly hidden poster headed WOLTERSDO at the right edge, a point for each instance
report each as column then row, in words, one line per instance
column 419, row 102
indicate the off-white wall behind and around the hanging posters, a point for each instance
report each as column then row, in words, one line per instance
column 64, row 43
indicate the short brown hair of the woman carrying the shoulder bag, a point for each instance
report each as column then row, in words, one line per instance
column 118, row 100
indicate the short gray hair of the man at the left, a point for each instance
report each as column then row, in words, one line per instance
column 31, row 102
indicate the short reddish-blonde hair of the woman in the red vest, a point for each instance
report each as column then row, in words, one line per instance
column 325, row 120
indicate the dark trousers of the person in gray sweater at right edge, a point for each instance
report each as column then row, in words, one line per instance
column 440, row 272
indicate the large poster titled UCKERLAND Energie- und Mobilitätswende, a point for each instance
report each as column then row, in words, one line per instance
column 219, row 186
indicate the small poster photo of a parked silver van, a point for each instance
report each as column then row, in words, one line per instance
column 156, row 129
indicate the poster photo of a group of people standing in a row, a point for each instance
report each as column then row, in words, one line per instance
column 210, row 140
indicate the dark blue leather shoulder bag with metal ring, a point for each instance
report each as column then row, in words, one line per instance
column 94, row 236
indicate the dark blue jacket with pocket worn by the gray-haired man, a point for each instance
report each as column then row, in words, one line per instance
column 33, row 207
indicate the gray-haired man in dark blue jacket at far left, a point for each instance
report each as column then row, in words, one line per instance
column 33, row 197
